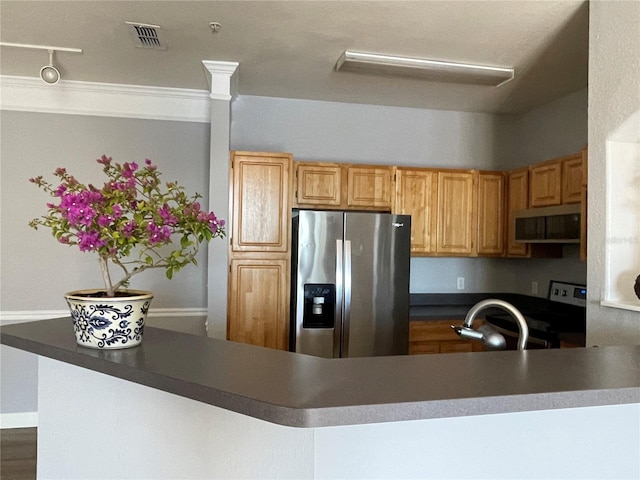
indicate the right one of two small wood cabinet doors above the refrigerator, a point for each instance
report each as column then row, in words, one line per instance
column 368, row 187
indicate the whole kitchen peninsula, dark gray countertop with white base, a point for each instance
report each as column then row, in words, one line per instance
column 207, row 408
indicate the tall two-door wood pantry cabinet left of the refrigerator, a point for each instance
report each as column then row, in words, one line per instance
column 259, row 250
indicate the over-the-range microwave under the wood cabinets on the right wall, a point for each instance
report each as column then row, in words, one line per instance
column 559, row 224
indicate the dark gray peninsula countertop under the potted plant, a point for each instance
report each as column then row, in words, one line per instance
column 304, row 391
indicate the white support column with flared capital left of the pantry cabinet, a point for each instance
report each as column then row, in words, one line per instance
column 221, row 78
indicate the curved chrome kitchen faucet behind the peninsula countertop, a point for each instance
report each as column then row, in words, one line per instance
column 491, row 339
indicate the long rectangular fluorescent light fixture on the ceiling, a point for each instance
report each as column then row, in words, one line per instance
column 430, row 70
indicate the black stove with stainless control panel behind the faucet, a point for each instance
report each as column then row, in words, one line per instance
column 562, row 317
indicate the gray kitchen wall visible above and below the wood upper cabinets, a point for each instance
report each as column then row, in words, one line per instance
column 341, row 132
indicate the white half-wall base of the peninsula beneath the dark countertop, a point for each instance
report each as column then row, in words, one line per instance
column 93, row 425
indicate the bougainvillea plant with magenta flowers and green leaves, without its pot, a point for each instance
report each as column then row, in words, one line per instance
column 133, row 222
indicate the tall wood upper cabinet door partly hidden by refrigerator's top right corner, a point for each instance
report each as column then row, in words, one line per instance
column 415, row 196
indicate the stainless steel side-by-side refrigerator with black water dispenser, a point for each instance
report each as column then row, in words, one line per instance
column 350, row 283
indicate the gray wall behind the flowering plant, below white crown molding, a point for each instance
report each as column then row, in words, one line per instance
column 35, row 269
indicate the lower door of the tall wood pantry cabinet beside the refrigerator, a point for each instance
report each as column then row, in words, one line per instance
column 259, row 302
